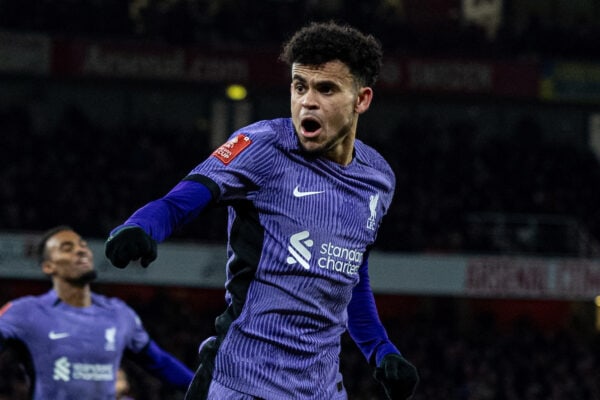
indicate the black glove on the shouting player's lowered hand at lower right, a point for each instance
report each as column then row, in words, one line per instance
column 398, row 377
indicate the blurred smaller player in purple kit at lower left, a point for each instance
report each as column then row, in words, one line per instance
column 76, row 338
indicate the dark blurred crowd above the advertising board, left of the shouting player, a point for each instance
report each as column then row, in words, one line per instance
column 79, row 173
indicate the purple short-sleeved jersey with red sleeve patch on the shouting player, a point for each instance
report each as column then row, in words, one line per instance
column 299, row 226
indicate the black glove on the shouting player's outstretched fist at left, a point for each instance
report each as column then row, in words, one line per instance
column 128, row 244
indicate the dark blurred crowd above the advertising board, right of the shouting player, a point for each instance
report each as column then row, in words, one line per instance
column 447, row 176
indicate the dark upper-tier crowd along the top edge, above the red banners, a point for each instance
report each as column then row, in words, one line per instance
column 402, row 25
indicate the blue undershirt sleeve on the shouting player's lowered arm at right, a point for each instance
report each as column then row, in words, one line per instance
column 364, row 324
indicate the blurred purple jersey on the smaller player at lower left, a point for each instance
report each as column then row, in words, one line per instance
column 76, row 351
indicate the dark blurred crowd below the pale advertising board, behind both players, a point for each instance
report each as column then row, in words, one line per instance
column 474, row 358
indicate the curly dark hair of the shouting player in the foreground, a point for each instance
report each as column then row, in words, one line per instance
column 320, row 42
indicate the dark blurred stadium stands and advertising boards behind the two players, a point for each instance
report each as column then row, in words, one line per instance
column 489, row 112
